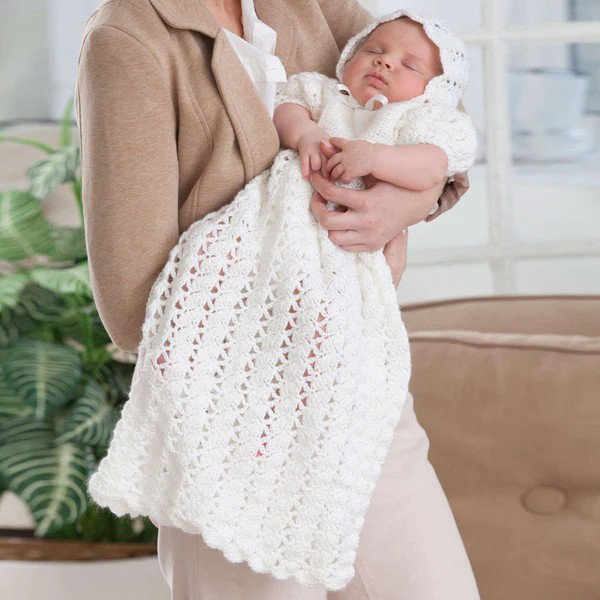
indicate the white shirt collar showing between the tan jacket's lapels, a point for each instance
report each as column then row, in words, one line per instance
column 256, row 53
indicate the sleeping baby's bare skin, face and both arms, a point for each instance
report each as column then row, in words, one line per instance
column 397, row 60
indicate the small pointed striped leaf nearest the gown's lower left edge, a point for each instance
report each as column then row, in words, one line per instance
column 92, row 418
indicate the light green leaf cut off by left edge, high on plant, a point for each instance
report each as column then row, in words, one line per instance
column 24, row 230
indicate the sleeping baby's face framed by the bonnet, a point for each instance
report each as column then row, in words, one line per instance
column 396, row 60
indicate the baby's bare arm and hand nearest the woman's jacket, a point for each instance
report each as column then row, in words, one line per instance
column 299, row 132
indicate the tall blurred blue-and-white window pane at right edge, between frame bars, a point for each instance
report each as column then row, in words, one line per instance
column 555, row 140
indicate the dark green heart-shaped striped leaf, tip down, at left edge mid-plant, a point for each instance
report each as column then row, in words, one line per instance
column 44, row 374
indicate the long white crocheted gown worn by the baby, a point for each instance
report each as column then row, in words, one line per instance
column 272, row 370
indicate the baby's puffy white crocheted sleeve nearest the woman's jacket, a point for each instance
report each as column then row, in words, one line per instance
column 310, row 90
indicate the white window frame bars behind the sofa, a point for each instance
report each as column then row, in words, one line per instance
column 503, row 249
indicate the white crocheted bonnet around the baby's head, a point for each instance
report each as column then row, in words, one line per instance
column 446, row 88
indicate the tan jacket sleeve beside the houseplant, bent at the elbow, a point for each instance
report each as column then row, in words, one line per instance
column 127, row 131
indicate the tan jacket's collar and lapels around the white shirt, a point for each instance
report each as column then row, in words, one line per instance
column 254, row 130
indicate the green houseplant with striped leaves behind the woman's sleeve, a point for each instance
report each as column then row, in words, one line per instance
column 62, row 383
